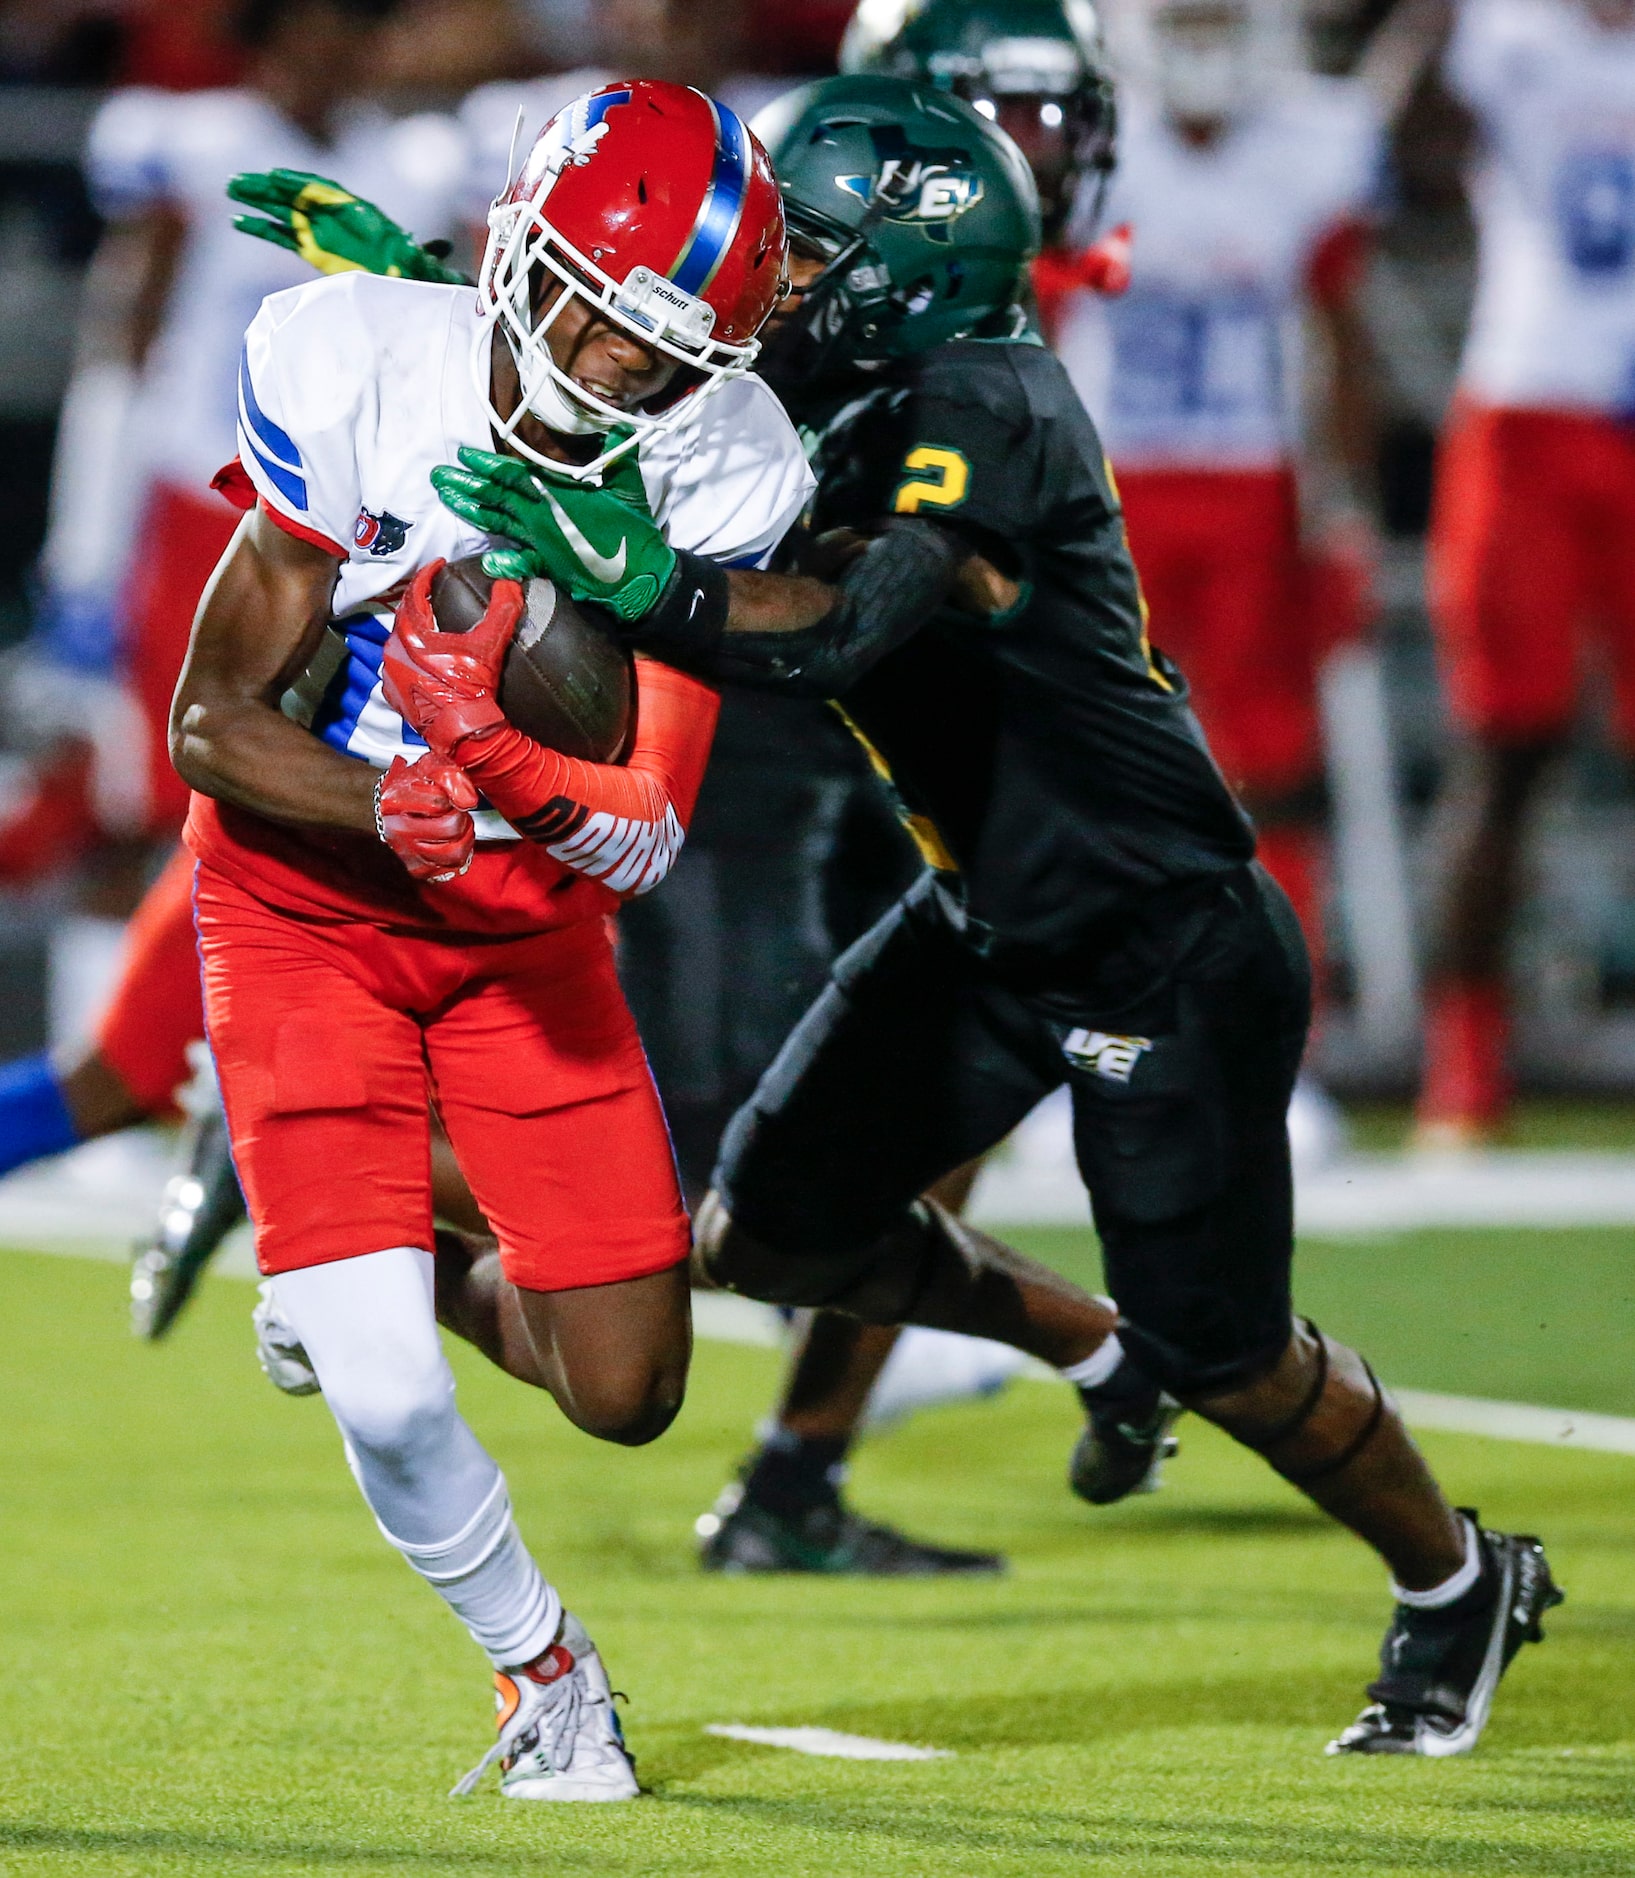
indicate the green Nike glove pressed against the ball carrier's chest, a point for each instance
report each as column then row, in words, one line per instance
column 600, row 544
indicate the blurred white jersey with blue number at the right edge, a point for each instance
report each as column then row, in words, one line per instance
column 1555, row 206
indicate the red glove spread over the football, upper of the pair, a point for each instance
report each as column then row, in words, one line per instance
column 448, row 685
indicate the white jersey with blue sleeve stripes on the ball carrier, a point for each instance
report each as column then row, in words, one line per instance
column 352, row 390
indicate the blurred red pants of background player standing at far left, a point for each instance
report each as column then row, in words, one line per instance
column 179, row 544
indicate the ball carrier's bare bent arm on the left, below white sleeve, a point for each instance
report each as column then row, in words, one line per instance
column 260, row 624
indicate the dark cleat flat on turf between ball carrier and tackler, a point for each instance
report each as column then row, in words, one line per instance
column 744, row 1535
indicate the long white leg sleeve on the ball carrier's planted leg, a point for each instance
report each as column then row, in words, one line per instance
column 371, row 1332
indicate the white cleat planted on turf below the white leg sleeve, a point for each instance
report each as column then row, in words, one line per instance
column 558, row 1732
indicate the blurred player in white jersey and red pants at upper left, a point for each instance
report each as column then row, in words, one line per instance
column 149, row 420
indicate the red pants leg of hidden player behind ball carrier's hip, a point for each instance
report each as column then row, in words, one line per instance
column 157, row 1006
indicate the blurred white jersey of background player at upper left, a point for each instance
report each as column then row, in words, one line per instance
column 179, row 149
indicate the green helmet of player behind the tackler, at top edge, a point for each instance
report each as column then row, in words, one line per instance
column 1033, row 67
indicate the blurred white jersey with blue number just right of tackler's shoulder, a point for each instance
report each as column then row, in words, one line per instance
column 1200, row 363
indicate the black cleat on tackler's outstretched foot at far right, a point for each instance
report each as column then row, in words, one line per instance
column 1439, row 1670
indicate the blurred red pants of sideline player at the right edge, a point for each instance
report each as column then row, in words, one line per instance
column 1533, row 564
